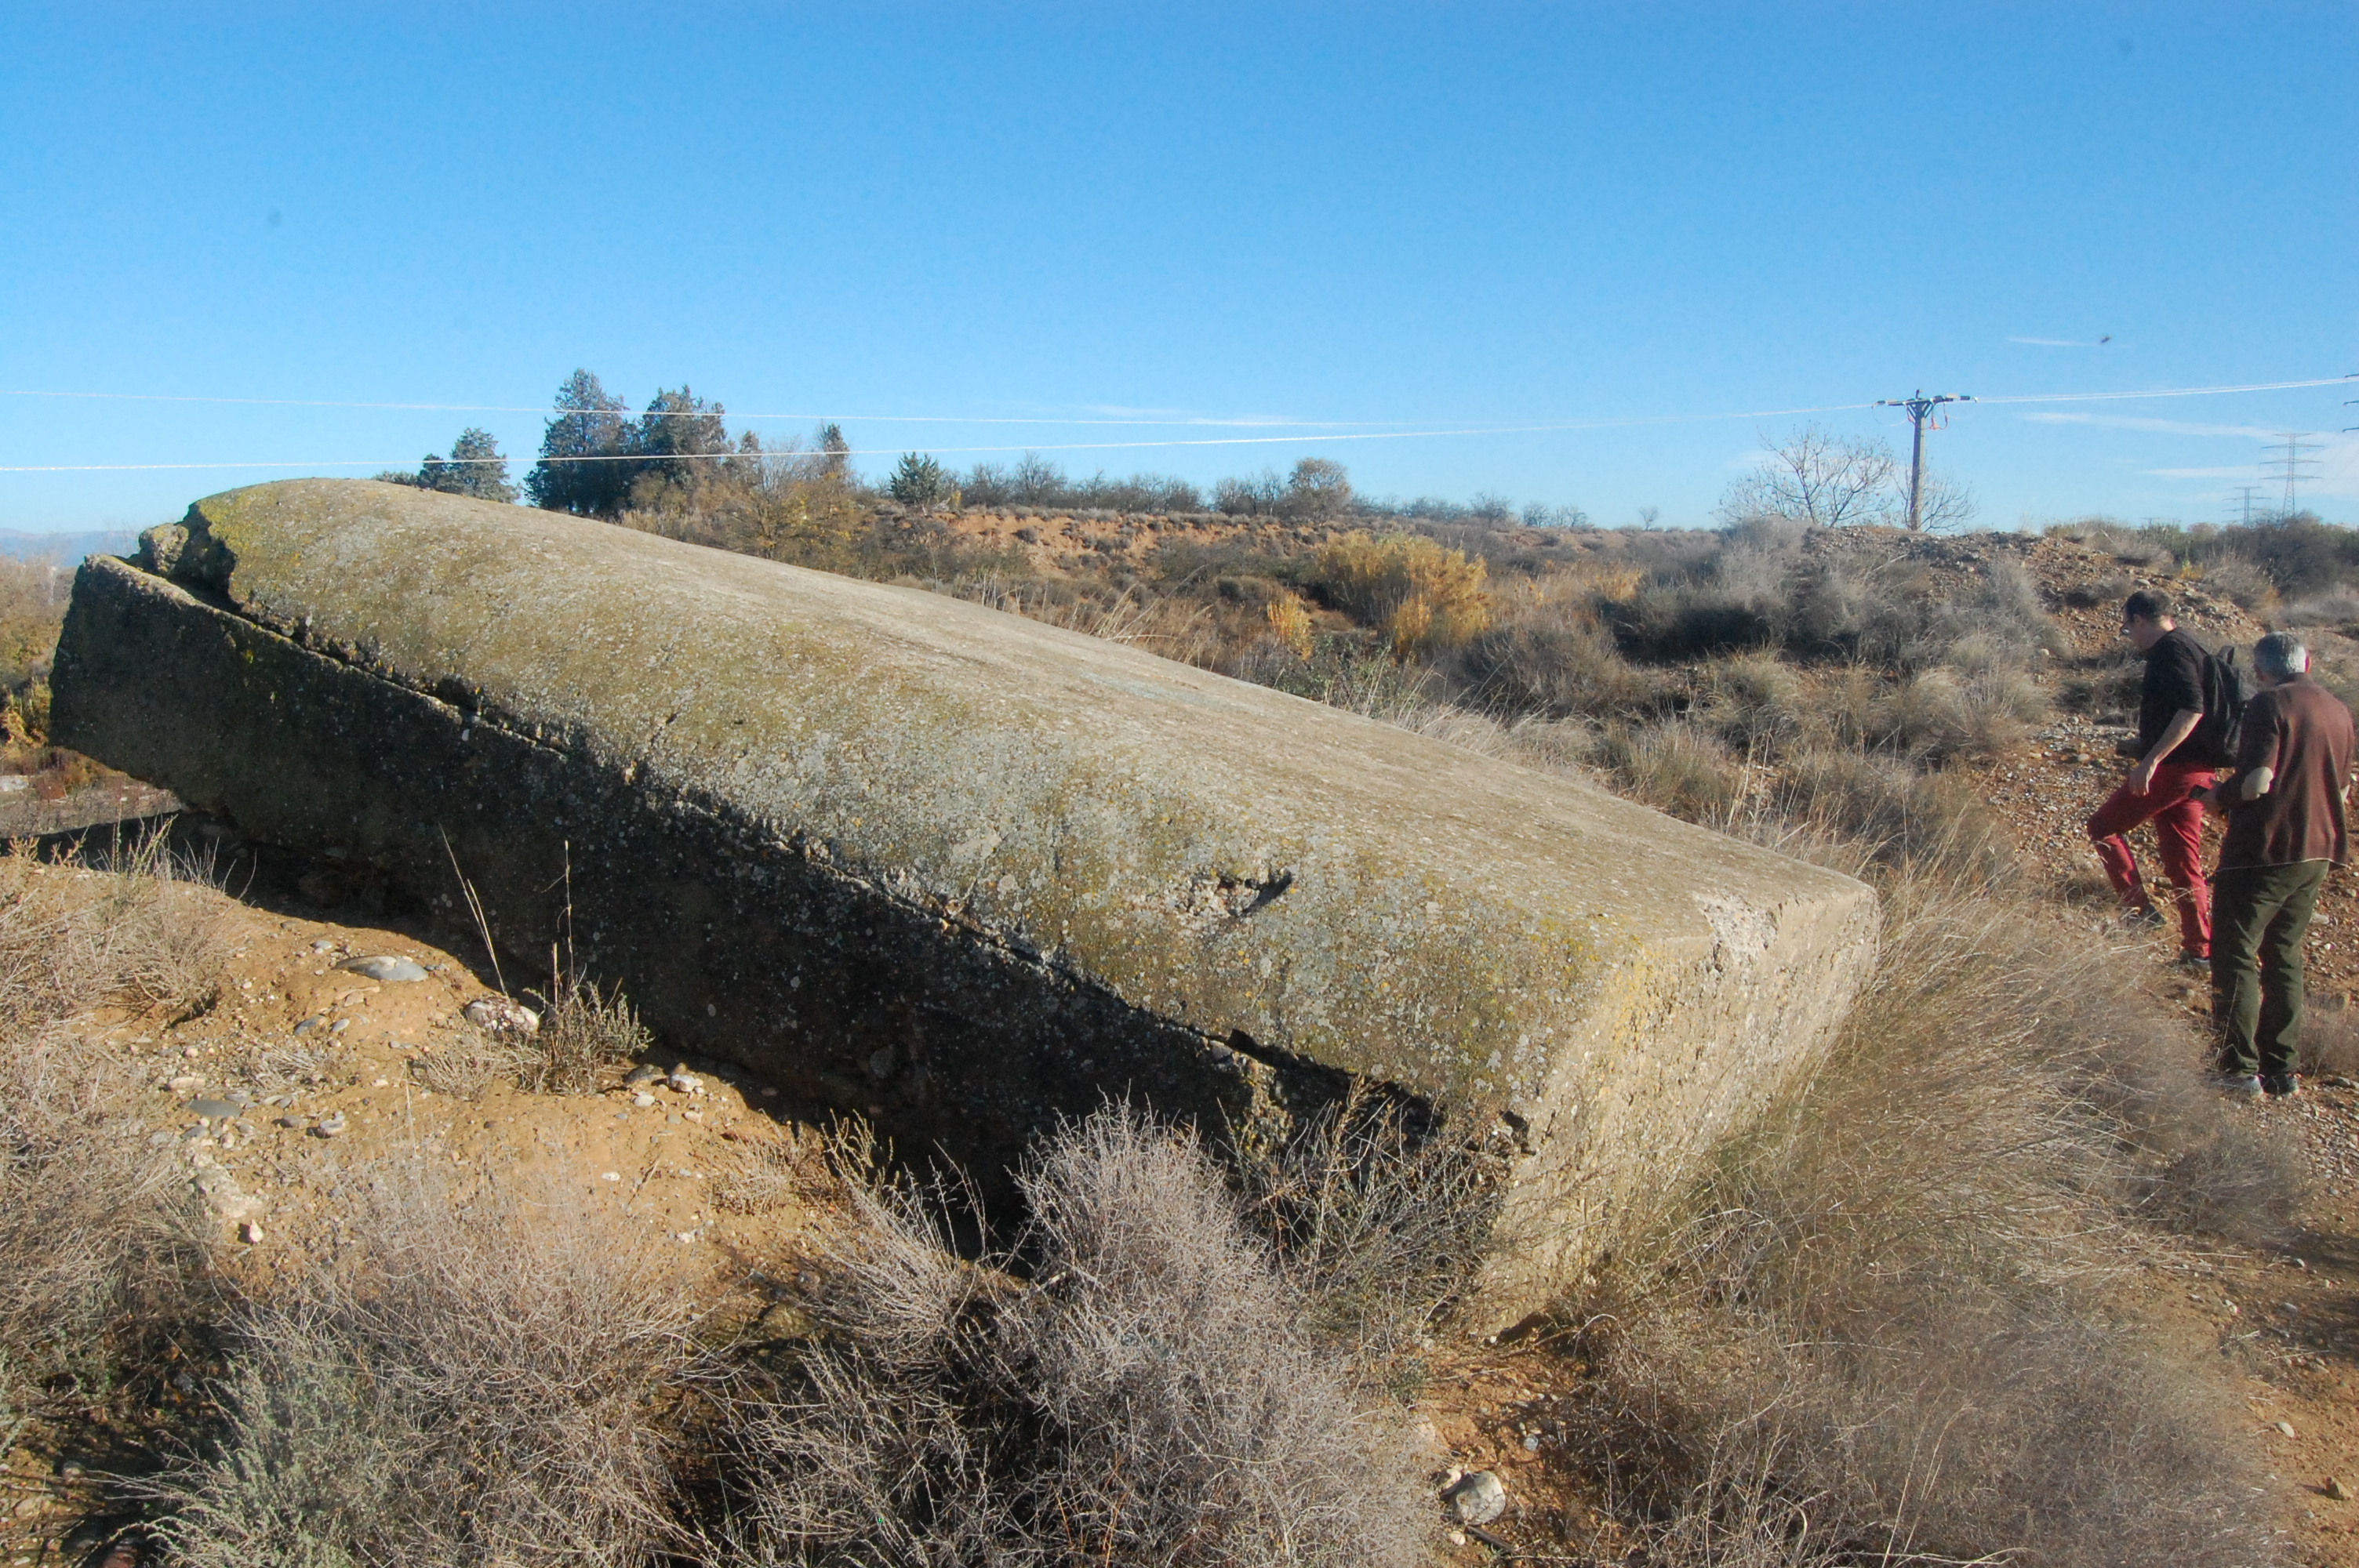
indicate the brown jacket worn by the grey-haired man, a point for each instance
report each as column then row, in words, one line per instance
column 2304, row 734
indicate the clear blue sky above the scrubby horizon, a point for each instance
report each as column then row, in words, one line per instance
column 1468, row 216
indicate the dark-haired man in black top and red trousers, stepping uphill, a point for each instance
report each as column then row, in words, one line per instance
column 2171, row 772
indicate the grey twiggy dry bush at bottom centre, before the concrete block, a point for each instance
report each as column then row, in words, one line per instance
column 1148, row 1397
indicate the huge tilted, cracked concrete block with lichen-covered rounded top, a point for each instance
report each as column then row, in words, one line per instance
column 957, row 869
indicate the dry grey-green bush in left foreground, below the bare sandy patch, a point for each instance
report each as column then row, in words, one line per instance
column 482, row 1383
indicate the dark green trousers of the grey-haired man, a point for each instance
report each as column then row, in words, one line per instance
column 2261, row 918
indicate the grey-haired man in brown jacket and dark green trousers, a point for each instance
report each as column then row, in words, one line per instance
column 2285, row 831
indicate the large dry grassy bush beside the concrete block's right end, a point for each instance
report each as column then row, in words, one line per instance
column 1891, row 1305
